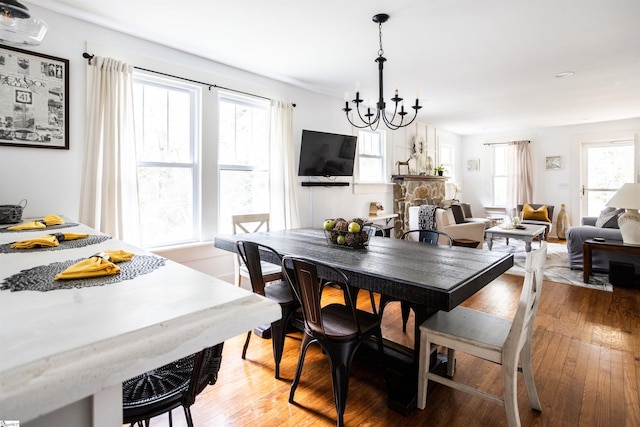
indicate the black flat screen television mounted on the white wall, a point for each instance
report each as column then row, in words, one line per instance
column 326, row 154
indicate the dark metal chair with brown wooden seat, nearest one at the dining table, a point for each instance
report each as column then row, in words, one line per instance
column 339, row 329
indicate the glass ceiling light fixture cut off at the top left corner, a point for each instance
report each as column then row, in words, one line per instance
column 18, row 27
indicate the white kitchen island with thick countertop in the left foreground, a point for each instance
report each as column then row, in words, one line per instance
column 65, row 352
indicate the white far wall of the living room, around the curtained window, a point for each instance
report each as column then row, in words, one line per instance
column 552, row 187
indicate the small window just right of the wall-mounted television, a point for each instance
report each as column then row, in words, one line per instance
column 371, row 157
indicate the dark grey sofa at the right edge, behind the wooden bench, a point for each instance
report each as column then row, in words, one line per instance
column 576, row 237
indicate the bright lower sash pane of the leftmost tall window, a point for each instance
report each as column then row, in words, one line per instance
column 165, row 197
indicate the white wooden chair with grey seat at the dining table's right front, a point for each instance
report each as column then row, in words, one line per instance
column 498, row 340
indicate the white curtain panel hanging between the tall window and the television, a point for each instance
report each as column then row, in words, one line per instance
column 284, row 205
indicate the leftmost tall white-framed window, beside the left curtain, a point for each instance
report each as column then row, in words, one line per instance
column 166, row 114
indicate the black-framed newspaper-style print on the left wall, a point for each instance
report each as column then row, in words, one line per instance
column 34, row 94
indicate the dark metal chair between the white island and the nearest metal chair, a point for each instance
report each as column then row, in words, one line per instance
column 278, row 291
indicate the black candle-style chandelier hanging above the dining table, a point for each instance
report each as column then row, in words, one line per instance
column 372, row 119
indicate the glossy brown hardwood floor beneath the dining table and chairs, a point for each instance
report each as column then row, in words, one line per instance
column 586, row 362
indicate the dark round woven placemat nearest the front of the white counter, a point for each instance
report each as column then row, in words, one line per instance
column 42, row 278
